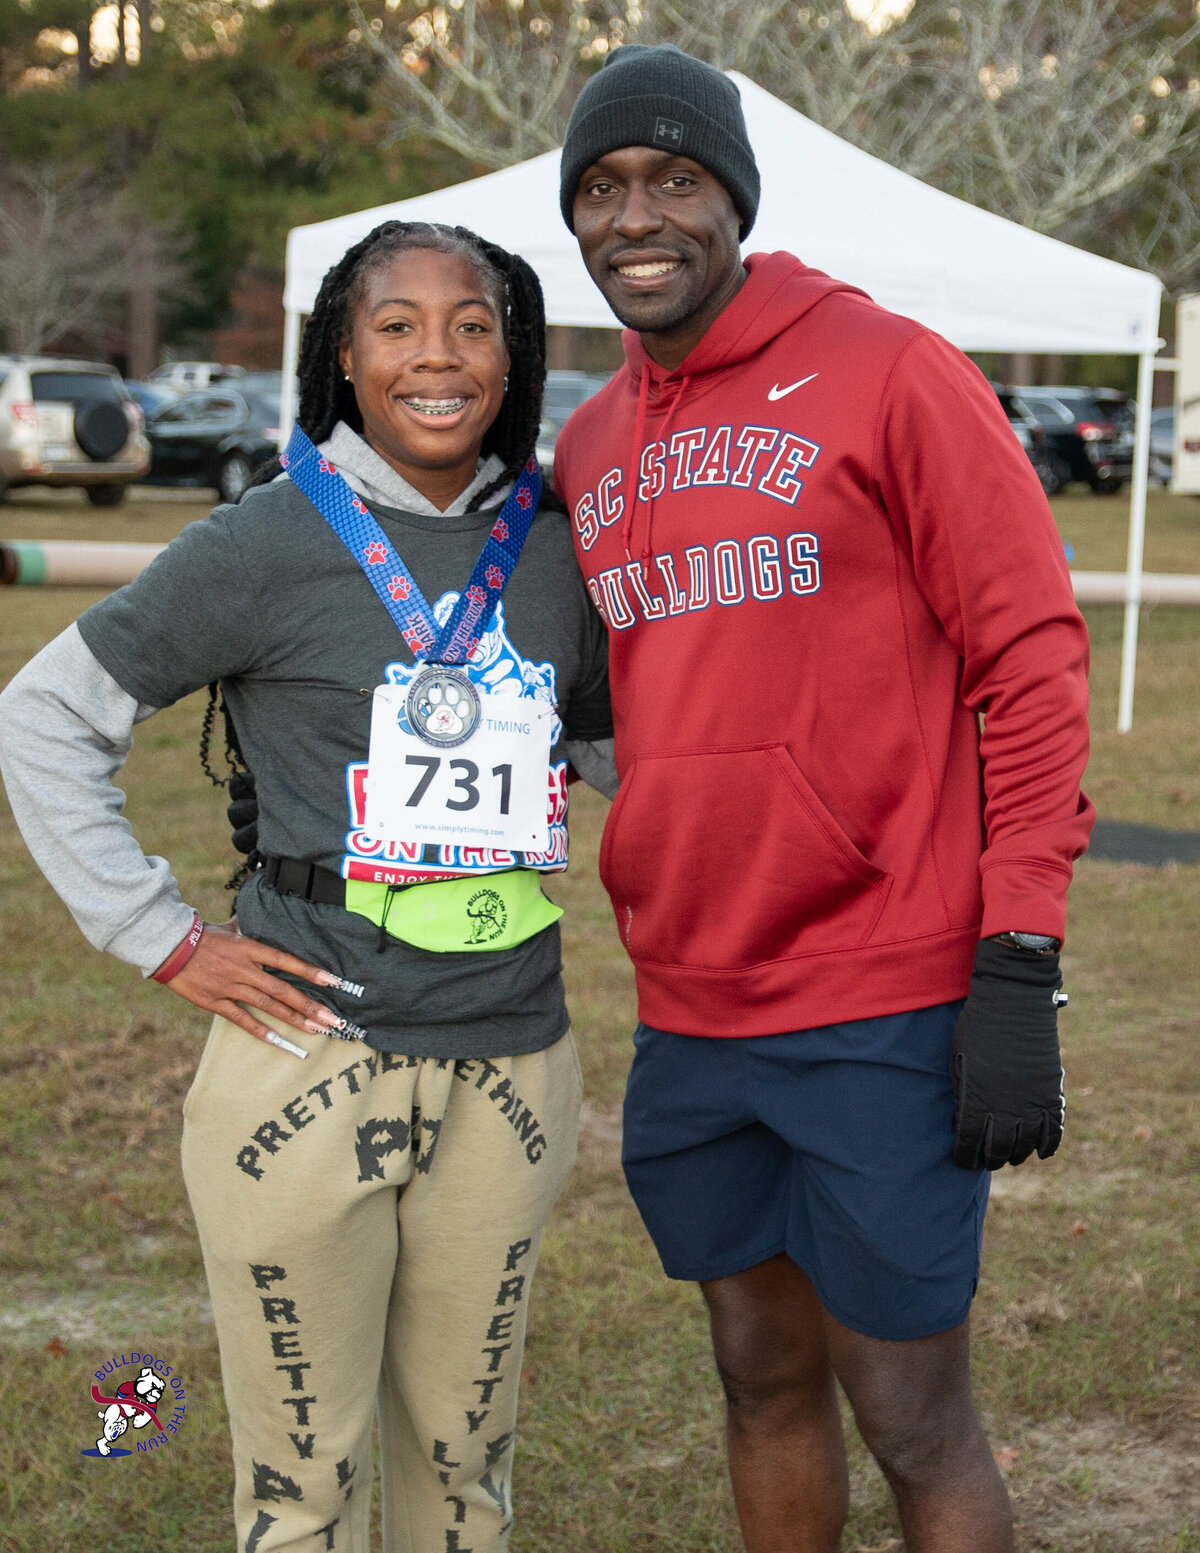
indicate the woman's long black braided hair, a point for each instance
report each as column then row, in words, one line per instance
column 327, row 398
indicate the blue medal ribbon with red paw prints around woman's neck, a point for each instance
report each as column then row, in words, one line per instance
column 387, row 574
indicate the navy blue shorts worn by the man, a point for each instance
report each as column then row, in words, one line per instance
column 831, row 1145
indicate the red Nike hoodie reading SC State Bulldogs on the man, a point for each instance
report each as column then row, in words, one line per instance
column 836, row 558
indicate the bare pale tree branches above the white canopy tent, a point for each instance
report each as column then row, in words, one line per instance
column 1052, row 113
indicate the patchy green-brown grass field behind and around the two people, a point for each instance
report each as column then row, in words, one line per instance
column 1087, row 1358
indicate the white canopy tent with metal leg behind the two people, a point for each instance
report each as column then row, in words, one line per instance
column 983, row 282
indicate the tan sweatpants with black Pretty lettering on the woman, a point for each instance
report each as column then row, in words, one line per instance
column 370, row 1228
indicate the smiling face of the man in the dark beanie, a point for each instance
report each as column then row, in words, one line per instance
column 659, row 235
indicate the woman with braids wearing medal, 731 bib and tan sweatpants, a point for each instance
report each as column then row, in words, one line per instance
column 387, row 1105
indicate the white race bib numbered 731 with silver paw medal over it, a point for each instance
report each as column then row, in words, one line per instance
column 454, row 766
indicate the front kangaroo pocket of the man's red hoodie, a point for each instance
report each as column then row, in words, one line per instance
column 727, row 860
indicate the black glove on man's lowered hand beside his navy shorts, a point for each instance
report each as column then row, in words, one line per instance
column 1005, row 1060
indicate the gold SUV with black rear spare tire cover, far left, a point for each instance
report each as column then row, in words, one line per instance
column 68, row 423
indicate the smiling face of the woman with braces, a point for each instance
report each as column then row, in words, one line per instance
column 428, row 358
